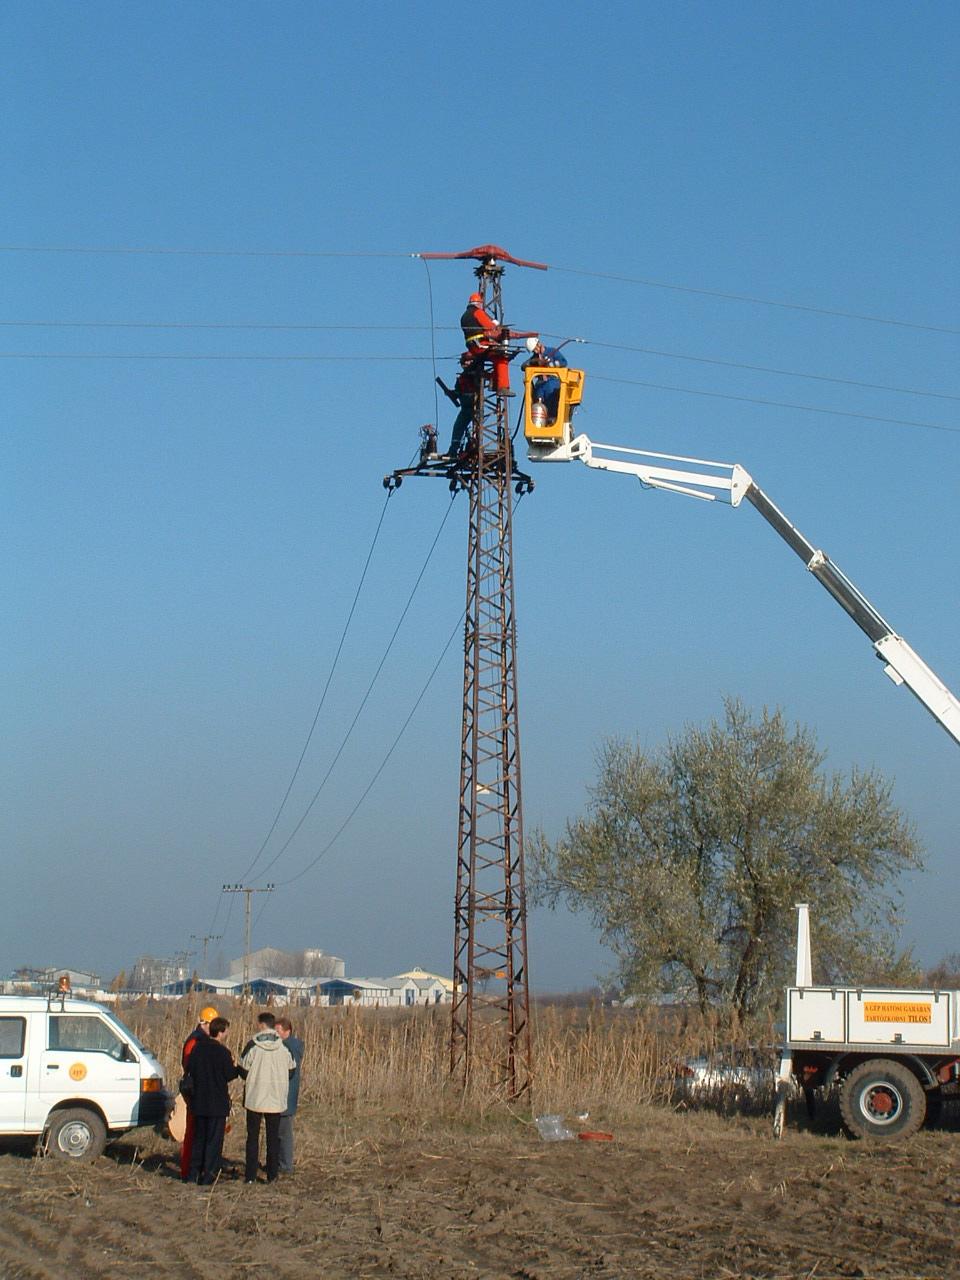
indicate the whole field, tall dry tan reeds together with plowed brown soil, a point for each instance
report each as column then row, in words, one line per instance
column 400, row 1176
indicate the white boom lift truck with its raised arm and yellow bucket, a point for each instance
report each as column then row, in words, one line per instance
column 895, row 1055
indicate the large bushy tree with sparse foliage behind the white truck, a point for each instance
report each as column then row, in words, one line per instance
column 691, row 862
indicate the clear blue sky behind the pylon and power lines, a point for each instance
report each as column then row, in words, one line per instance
column 185, row 537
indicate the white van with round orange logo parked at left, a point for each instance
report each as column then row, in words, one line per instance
column 75, row 1076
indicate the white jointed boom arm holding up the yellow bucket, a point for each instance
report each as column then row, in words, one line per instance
column 697, row 478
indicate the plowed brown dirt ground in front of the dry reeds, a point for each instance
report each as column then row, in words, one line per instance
column 676, row 1195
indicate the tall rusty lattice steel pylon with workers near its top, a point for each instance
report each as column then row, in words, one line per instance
column 491, row 1025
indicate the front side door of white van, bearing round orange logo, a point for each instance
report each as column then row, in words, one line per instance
column 86, row 1059
